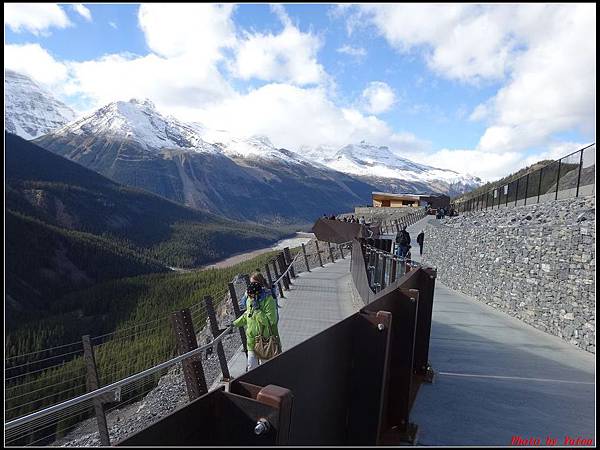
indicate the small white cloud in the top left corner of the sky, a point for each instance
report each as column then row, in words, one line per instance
column 36, row 18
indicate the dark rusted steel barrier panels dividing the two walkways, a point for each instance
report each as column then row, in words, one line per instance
column 352, row 384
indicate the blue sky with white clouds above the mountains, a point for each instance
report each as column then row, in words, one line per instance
column 376, row 73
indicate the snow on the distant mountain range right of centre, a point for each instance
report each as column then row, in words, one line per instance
column 379, row 161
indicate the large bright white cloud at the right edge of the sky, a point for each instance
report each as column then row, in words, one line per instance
column 553, row 87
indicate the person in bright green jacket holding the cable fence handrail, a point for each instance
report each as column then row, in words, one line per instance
column 260, row 320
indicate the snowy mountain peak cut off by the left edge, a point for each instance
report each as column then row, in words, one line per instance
column 30, row 110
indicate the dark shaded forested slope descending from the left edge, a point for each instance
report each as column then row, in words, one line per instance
column 69, row 228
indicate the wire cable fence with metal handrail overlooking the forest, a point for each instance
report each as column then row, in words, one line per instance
column 43, row 413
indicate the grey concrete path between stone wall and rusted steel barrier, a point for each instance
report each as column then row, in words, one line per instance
column 499, row 379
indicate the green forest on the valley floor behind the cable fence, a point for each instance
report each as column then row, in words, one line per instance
column 134, row 312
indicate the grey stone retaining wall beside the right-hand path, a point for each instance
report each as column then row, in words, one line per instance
column 535, row 262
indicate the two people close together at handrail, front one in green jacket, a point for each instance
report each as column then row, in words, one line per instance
column 260, row 319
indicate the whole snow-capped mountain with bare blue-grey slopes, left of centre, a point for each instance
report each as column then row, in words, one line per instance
column 240, row 178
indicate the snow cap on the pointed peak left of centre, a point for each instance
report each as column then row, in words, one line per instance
column 139, row 121
